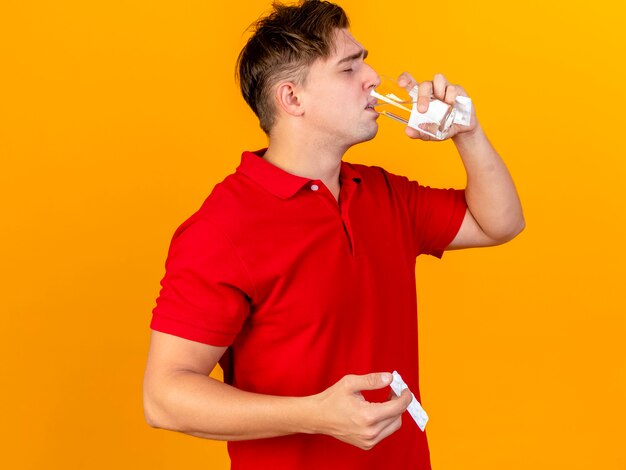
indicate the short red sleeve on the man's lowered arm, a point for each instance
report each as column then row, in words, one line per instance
column 205, row 293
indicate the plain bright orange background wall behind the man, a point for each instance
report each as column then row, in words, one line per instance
column 118, row 117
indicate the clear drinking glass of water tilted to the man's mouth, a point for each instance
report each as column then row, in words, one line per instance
column 396, row 103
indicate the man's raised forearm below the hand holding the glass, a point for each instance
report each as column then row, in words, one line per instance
column 490, row 193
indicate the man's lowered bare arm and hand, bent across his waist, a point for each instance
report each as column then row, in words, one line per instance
column 180, row 396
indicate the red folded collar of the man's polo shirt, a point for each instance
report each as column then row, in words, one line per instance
column 277, row 181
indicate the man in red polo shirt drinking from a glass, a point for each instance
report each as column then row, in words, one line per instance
column 298, row 272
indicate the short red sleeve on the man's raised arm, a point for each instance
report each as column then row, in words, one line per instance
column 436, row 214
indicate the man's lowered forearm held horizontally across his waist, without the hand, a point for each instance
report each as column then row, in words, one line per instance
column 202, row 406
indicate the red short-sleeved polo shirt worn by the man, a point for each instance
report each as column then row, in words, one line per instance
column 304, row 290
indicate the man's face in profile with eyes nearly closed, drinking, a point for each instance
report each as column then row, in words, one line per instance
column 336, row 94
